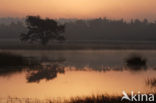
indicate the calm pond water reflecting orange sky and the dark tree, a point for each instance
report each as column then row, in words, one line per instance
column 66, row 74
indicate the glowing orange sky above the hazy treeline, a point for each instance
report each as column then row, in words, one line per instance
column 79, row 8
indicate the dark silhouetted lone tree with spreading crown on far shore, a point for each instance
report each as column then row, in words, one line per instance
column 42, row 30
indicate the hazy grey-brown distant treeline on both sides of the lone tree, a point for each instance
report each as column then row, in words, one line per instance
column 95, row 29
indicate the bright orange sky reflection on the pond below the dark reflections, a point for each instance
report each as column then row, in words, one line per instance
column 77, row 83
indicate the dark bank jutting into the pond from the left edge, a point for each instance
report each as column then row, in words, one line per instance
column 13, row 63
